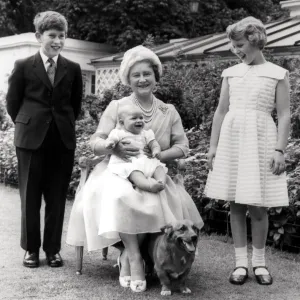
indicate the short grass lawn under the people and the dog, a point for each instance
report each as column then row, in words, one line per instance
column 208, row 279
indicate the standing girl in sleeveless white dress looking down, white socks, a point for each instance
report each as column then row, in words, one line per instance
column 246, row 155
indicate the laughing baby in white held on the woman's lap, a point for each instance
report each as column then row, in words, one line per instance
column 148, row 174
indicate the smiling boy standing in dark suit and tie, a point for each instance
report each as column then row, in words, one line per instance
column 44, row 100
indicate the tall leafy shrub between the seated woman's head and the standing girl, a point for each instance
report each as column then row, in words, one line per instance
column 193, row 89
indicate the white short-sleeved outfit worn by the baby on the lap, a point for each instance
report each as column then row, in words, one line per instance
column 137, row 163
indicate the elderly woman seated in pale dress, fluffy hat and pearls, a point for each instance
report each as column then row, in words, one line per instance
column 109, row 209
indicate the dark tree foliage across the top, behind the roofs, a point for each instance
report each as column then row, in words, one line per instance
column 126, row 23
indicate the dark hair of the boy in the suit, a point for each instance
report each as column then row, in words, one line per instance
column 48, row 20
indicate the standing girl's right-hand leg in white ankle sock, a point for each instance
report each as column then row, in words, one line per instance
column 259, row 227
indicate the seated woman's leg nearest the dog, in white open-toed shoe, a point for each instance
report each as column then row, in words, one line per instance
column 132, row 247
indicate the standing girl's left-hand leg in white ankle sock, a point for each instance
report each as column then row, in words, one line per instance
column 239, row 234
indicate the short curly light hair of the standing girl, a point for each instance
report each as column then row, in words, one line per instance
column 250, row 28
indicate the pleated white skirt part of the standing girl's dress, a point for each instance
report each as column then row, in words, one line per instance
column 241, row 169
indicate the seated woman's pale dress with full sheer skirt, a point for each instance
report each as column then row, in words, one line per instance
column 108, row 204
